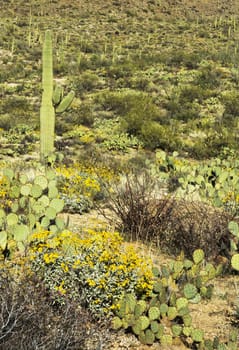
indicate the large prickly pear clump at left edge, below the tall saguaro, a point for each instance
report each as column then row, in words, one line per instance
column 32, row 205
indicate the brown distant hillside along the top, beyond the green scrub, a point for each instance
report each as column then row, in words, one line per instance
column 182, row 8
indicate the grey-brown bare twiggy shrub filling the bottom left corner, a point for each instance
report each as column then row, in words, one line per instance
column 29, row 318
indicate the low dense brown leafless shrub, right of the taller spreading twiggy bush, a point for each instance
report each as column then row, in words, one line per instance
column 187, row 225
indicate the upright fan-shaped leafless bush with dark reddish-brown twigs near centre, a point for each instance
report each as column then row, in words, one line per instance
column 134, row 202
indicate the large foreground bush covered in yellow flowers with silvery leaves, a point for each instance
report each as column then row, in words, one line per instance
column 94, row 268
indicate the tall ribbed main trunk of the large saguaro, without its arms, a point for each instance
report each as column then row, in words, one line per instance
column 47, row 112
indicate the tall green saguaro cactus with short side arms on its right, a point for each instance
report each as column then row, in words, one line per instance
column 52, row 101
